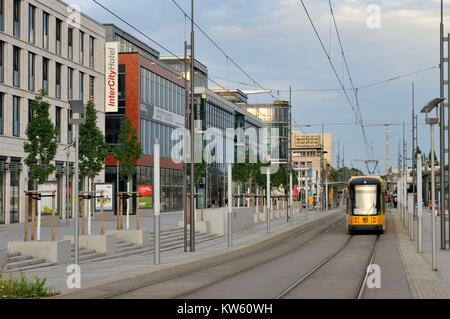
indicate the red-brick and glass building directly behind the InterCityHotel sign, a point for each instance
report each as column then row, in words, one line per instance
column 152, row 95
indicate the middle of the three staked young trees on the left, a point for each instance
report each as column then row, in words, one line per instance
column 93, row 148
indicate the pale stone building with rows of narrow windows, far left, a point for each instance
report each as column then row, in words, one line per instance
column 44, row 45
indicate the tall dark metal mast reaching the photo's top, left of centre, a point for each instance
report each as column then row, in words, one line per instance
column 192, row 228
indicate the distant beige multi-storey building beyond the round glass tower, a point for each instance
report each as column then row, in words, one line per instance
column 307, row 158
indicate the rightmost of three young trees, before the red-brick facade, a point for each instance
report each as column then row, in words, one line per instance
column 127, row 152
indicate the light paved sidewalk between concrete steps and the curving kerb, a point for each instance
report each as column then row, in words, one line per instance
column 97, row 273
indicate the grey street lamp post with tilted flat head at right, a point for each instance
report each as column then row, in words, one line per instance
column 432, row 121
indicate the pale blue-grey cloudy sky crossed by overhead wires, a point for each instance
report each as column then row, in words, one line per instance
column 274, row 42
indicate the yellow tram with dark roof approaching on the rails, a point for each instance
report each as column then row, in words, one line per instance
column 366, row 204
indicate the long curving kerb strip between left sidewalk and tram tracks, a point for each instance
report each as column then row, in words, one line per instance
column 164, row 271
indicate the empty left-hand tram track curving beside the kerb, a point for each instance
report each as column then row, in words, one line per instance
column 335, row 222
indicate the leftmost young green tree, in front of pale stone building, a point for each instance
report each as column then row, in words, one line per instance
column 41, row 146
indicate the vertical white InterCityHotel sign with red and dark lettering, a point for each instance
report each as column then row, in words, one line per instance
column 111, row 76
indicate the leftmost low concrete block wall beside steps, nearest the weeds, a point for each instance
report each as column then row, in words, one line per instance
column 52, row 251
